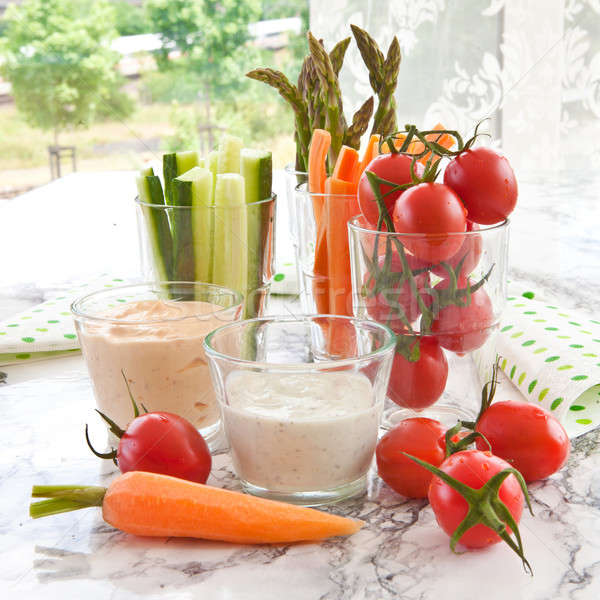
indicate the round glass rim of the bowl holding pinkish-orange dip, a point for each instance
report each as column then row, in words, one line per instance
column 78, row 312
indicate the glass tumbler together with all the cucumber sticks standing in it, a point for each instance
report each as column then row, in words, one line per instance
column 211, row 219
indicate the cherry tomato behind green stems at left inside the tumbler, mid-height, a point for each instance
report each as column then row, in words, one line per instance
column 383, row 307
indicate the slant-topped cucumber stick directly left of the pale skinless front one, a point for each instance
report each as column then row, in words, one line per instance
column 195, row 189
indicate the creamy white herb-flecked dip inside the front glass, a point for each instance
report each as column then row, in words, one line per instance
column 300, row 432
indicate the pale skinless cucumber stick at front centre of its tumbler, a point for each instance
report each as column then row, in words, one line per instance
column 230, row 249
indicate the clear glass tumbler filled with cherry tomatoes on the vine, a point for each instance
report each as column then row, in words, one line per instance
column 443, row 296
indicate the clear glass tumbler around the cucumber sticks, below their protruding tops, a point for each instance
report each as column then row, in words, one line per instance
column 230, row 246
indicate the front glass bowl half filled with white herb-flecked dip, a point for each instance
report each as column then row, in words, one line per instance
column 302, row 401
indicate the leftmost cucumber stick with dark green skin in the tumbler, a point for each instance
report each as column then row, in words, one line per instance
column 157, row 223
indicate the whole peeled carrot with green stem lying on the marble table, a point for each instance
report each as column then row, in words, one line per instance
column 150, row 504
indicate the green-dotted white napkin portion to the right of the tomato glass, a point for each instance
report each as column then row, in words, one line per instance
column 553, row 357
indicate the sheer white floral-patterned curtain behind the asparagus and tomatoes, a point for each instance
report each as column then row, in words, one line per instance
column 531, row 66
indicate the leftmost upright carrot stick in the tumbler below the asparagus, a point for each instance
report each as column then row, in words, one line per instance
column 317, row 173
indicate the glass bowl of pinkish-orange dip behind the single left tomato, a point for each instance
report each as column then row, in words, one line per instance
column 153, row 334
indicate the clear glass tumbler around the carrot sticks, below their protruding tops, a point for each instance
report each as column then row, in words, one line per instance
column 323, row 253
